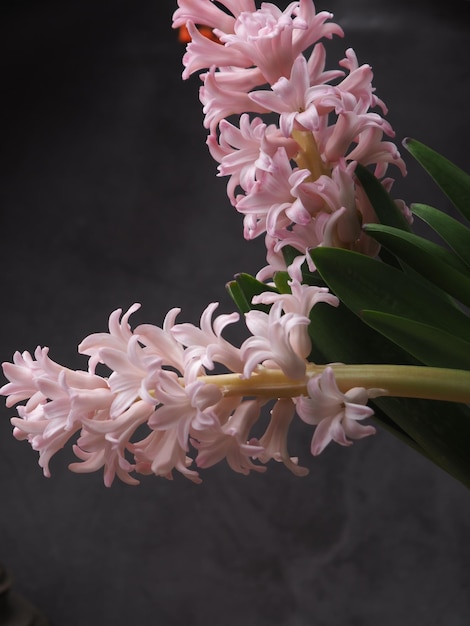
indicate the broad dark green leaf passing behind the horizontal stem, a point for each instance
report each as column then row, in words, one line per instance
column 440, row 431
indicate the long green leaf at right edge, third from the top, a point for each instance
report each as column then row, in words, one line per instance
column 438, row 265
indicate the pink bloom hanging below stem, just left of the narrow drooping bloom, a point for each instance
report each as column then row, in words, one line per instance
column 229, row 441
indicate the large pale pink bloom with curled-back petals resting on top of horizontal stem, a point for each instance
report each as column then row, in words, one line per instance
column 273, row 342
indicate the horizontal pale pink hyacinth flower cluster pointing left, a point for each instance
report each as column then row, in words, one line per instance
column 159, row 378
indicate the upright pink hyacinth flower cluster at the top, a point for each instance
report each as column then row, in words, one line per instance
column 293, row 180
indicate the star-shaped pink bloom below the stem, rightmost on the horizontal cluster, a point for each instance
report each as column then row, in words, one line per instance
column 335, row 414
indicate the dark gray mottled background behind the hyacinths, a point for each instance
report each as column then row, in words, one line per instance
column 109, row 196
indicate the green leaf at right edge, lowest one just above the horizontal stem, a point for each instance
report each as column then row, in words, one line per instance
column 433, row 346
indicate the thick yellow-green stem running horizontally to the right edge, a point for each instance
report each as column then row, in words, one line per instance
column 402, row 381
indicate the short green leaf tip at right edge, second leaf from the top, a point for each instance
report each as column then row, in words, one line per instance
column 455, row 234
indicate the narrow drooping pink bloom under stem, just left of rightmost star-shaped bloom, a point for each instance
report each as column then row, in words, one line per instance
column 274, row 440
